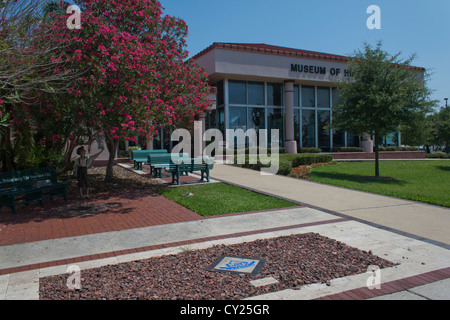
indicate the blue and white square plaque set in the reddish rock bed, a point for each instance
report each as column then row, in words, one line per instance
column 243, row 265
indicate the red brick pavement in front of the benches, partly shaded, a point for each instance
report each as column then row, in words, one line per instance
column 124, row 210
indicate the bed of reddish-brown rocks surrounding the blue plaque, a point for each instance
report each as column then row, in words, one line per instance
column 294, row 261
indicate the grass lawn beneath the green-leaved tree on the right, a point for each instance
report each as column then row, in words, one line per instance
column 425, row 181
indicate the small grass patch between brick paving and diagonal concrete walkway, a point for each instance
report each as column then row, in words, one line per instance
column 220, row 198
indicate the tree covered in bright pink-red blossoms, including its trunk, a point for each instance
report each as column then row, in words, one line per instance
column 138, row 76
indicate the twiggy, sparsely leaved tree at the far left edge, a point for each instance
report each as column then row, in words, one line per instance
column 32, row 64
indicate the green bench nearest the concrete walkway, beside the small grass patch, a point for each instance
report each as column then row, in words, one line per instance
column 190, row 165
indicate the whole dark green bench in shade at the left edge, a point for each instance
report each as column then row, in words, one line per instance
column 30, row 185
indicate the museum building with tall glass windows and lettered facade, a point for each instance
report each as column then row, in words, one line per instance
column 262, row 86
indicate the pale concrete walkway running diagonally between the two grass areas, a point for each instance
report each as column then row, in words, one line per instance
column 410, row 217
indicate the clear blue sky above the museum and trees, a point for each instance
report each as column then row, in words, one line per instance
column 331, row 26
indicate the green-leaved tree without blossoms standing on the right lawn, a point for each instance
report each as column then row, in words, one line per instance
column 382, row 93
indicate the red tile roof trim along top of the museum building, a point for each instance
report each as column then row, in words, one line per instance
column 281, row 51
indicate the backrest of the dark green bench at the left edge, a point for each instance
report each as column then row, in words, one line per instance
column 26, row 178
